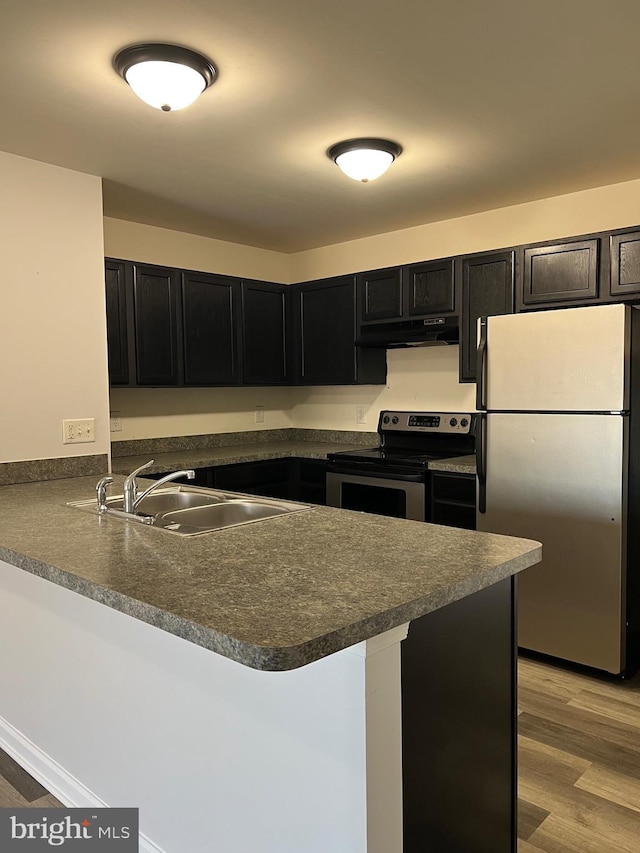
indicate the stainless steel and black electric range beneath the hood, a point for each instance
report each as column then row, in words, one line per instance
column 393, row 478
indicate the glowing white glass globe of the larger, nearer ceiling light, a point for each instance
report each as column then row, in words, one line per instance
column 166, row 86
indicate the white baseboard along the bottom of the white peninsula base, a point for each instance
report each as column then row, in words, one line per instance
column 64, row 787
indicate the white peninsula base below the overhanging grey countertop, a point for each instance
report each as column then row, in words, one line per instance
column 106, row 710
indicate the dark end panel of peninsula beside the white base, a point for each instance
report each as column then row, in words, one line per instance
column 459, row 741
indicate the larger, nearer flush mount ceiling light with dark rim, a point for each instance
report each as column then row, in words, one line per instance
column 165, row 76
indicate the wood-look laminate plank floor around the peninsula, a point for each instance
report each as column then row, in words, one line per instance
column 579, row 764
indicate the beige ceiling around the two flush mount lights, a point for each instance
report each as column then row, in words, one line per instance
column 494, row 102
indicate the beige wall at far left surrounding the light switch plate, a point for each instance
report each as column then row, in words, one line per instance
column 53, row 359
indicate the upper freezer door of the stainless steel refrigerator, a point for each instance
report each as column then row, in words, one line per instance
column 564, row 360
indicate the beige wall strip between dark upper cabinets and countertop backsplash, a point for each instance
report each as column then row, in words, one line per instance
column 419, row 378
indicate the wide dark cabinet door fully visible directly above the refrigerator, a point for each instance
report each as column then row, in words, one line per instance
column 560, row 273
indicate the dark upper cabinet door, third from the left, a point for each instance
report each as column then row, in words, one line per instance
column 210, row 329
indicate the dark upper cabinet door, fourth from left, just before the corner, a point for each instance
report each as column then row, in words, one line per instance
column 264, row 334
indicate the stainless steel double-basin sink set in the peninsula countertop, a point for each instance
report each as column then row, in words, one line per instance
column 191, row 510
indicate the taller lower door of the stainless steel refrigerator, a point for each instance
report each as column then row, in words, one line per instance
column 561, row 479
